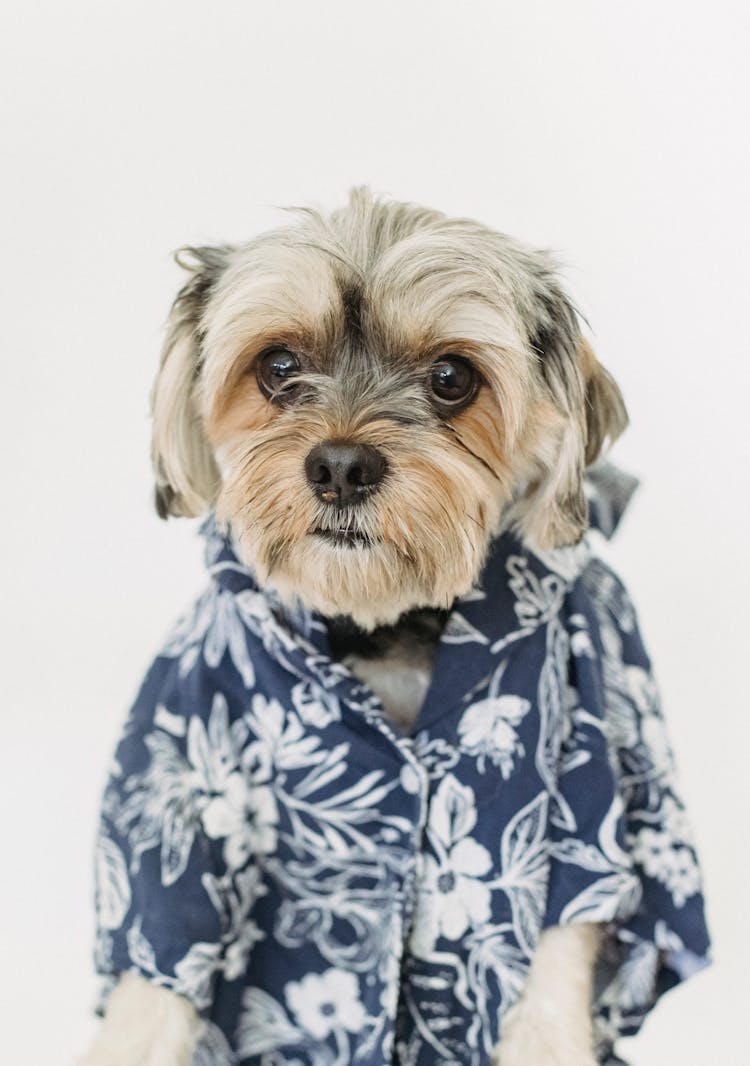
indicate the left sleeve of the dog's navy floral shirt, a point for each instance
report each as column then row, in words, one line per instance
column 162, row 882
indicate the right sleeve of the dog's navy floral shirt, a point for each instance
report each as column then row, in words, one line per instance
column 623, row 850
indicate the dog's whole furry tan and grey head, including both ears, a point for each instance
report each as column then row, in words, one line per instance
column 368, row 398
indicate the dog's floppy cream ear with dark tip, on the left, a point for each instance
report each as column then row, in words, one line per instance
column 187, row 477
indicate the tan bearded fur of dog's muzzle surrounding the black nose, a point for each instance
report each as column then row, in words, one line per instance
column 429, row 524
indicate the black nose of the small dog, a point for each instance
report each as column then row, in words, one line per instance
column 344, row 474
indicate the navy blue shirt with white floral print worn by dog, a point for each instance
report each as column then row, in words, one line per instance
column 328, row 892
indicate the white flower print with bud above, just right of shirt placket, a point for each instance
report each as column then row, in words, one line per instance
column 452, row 898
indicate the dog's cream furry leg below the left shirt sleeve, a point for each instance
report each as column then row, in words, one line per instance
column 145, row 1026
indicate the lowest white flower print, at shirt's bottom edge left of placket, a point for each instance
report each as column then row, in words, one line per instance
column 324, row 1004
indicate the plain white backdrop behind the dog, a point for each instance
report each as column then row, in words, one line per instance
column 614, row 133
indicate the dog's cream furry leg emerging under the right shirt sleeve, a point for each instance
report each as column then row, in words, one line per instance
column 551, row 1025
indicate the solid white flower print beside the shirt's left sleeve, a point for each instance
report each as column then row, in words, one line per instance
column 247, row 817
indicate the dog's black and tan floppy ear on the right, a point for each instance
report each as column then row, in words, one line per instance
column 586, row 410
